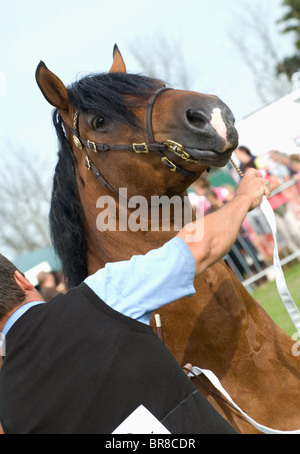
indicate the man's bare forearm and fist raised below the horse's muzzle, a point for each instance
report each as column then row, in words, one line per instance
column 221, row 228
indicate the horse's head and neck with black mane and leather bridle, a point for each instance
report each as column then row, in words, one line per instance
column 129, row 131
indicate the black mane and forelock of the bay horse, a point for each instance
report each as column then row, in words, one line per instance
column 104, row 94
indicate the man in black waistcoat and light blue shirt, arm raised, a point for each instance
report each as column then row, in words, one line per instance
column 87, row 360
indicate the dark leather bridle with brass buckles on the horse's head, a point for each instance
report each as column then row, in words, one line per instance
column 139, row 148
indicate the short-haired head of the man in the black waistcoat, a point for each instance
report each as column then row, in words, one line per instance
column 15, row 289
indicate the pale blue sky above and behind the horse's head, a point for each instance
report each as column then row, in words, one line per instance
column 75, row 38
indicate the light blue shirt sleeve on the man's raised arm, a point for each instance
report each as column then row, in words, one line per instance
column 144, row 283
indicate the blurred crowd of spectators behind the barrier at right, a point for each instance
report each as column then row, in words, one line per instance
column 255, row 242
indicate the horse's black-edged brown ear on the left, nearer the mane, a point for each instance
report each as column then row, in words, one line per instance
column 52, row 88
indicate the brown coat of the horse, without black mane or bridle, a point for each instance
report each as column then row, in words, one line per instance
column 222, row 327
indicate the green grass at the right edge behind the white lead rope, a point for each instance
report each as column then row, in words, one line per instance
column 267, row 295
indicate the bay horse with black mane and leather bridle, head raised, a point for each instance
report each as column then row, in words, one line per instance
column 221, row 327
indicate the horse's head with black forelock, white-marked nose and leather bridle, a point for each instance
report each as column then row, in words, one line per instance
column 185, row 131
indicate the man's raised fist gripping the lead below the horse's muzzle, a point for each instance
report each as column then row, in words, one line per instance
column 253, row 187
